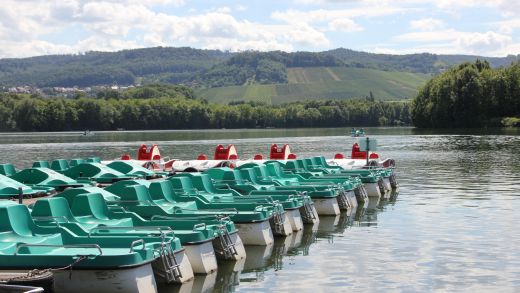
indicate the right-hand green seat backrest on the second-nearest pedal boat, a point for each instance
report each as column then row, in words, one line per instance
column 90, row 204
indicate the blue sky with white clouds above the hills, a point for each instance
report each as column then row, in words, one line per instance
column 476, row 27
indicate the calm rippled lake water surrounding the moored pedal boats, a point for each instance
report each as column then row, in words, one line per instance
column 454, row 226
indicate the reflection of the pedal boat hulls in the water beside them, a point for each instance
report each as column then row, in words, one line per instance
column 286, row 251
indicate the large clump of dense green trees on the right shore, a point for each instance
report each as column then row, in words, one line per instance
column 468, row 95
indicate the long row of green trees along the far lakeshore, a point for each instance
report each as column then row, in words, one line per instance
column 167, row 107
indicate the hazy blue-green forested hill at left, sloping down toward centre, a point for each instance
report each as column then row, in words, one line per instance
column 173, row 65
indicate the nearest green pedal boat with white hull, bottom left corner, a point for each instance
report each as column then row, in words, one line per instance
column 99, row 263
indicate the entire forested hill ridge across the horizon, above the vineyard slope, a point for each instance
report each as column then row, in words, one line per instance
column 206, row 68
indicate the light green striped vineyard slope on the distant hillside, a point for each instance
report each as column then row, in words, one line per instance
column 324, row 83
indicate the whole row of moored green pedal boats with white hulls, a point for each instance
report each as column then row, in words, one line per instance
column 122, row 227
